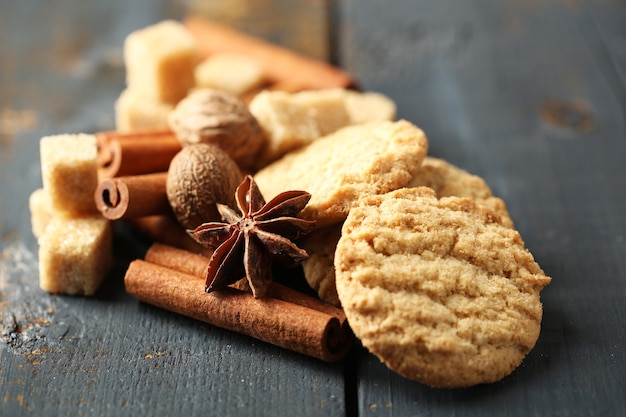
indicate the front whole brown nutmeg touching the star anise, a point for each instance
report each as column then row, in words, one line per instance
column 199, row 176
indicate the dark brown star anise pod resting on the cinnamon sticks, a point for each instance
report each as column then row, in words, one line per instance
column 247, row 243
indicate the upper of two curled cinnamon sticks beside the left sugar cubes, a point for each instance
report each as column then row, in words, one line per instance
column 134, row 153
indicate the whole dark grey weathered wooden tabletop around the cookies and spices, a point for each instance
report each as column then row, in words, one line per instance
column 529, row 95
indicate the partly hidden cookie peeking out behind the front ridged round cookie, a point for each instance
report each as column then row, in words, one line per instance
column 449, row 180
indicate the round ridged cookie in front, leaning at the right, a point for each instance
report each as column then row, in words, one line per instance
column 438, row 289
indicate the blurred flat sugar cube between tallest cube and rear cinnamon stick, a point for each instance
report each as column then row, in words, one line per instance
column 230, row 72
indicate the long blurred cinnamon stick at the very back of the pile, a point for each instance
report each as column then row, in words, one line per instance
column 279, row 64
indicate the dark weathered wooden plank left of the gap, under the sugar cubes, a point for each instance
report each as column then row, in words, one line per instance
column 60, row 72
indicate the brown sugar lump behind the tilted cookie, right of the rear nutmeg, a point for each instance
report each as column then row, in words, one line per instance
column 294, row 120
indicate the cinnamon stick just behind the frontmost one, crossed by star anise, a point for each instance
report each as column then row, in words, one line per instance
column 195, row 264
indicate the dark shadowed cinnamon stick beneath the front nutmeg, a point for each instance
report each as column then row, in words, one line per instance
column 167, row 230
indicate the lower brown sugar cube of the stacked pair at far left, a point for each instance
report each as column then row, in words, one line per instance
column 75, row 254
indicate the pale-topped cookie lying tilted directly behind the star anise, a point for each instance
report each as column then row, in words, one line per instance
column 365, row 159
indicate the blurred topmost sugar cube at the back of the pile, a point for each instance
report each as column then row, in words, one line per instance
column 160, row 61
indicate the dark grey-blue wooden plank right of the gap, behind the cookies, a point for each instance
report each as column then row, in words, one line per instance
column 519, row 93
